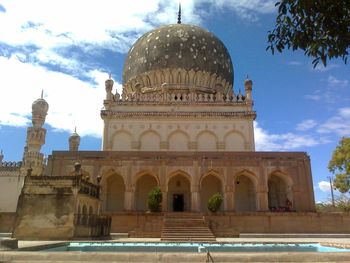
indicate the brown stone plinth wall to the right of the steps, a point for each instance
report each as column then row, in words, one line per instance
column 279, row 223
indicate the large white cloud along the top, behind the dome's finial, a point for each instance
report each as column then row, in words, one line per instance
column 94, row 26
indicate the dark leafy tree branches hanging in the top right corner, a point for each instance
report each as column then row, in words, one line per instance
column 319, row 28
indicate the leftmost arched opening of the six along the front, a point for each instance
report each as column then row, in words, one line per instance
column 115, row 190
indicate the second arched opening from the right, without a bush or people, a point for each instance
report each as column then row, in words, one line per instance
column 245, row 197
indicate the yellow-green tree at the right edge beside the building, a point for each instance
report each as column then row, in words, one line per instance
column 340, row 165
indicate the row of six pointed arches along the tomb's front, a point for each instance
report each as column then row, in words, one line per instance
column 181, row 192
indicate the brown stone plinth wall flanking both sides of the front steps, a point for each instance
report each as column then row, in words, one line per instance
column 226, row 224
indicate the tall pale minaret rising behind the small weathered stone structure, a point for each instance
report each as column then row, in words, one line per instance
column 33, row 159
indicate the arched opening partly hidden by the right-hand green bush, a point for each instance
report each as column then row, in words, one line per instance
column 210, row 185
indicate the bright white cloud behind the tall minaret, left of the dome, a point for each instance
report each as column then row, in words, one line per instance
column 72, row 102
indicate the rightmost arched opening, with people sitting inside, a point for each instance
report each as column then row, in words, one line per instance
column 278, row 194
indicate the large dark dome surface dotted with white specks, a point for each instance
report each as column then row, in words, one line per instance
column 178, row 46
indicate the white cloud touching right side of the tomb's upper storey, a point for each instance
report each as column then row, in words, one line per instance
column 265, row 141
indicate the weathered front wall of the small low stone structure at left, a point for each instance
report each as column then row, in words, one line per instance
column 45, row 209
